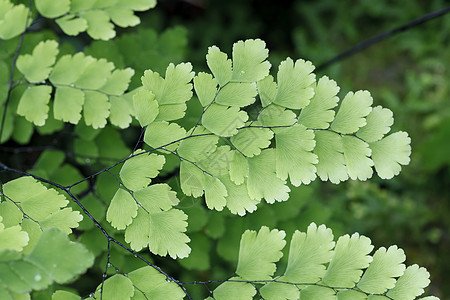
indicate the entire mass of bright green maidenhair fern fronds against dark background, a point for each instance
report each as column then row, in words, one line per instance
column 257, row 134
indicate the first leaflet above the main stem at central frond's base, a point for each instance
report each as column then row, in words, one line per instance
column 164, row 135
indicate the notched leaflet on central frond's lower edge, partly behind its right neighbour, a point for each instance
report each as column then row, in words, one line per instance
column 262, row 179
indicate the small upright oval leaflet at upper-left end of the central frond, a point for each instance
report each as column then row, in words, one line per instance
column 145, row 106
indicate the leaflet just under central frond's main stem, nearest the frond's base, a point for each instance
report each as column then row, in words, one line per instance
column 199, row 146
